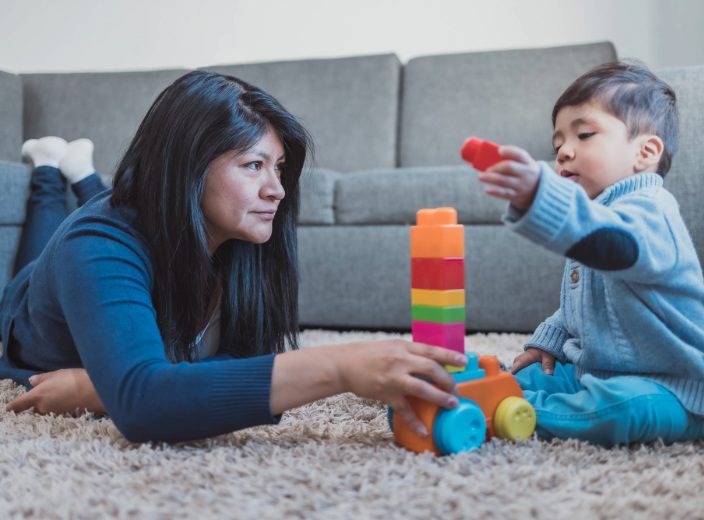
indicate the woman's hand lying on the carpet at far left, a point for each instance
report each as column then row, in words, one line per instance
column 67, row 391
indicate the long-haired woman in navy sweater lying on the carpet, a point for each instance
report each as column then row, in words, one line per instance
column 168, row 302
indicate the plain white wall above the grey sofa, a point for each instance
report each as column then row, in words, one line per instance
column 99, row 35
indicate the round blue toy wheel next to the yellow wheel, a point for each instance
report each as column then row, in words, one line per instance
column 463, row 428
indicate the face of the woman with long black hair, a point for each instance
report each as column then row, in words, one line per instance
column 243, row 191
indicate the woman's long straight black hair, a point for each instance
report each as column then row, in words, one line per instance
column 162, row 175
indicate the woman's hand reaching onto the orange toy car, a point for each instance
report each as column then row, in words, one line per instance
column 387, row 370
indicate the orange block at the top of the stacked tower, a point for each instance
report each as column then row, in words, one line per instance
column 437, row 234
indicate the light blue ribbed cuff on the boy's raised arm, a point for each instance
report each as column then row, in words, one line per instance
column 548, row 213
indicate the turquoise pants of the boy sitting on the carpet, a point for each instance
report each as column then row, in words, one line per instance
column 618, row 410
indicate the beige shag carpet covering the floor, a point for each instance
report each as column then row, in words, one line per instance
column 333, row 459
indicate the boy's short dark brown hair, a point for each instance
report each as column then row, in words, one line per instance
column 633, row 94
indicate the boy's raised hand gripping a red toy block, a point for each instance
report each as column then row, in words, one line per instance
column 515, row 179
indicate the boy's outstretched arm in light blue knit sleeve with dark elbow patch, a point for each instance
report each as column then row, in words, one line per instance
column 631, row 239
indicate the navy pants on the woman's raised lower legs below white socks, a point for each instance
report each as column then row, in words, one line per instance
column 46, row 209
